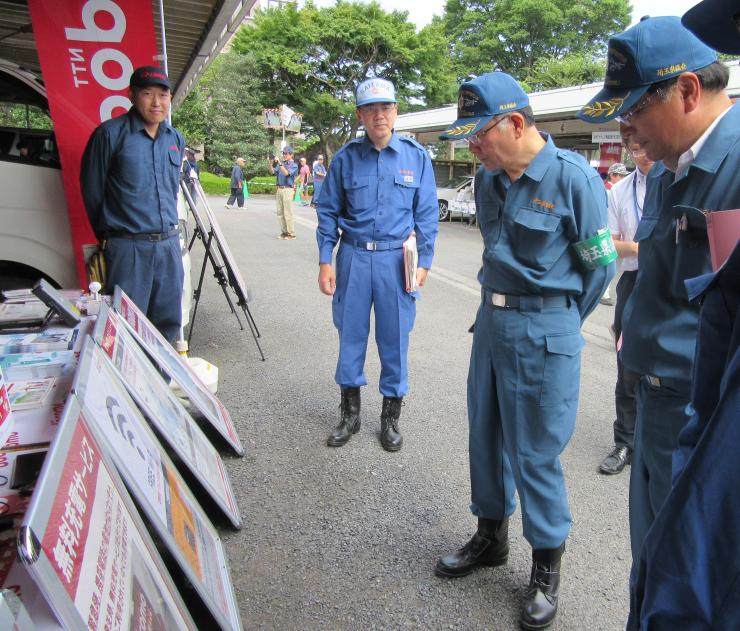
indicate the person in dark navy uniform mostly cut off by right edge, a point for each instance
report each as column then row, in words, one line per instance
column 689, row 569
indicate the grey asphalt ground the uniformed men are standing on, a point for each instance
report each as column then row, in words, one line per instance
column 347, row 538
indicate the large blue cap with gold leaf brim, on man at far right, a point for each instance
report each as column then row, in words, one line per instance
column 653, row 50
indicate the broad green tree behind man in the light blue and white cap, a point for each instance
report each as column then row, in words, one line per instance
column 312, row 59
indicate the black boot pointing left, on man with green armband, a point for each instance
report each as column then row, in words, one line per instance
column 489, row 547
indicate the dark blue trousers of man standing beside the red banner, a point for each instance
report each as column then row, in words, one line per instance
column 151, row 273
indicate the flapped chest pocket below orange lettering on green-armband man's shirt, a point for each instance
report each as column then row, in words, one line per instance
column 535, row 238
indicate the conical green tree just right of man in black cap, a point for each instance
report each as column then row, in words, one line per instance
column 225, row 113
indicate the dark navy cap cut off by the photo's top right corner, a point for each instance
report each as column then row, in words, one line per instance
column 716, row 23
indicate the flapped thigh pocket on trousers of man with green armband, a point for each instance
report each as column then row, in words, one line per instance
column 562, row 369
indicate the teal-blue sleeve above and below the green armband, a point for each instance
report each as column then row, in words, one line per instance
column 589, row 207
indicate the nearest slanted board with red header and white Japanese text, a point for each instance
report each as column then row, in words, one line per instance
column 85, row 545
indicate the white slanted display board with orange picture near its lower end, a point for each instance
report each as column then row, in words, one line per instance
column 155, row 484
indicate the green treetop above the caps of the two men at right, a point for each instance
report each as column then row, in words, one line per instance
column 512, row 35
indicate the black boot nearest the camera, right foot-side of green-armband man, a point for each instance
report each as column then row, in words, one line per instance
column 541, row 599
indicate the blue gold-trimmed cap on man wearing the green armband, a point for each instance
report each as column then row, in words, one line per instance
column 479, row 100
